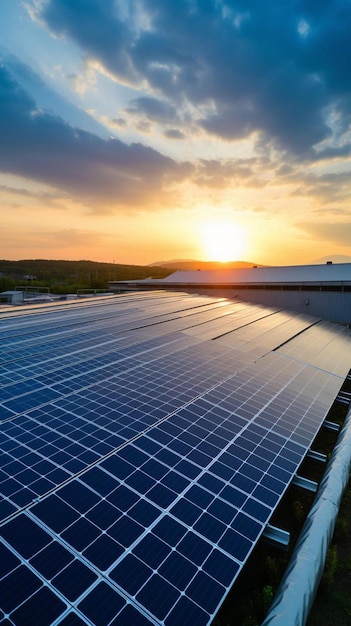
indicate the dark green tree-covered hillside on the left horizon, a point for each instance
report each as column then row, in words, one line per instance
column 69, row 276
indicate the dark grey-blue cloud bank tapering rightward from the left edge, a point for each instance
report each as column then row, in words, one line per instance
column 98, row 172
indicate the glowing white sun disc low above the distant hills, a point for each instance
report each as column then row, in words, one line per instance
column 223, row 240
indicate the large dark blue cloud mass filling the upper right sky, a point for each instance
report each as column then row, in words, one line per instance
column 273, row 67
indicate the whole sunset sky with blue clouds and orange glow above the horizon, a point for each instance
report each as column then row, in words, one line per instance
column 137, row 131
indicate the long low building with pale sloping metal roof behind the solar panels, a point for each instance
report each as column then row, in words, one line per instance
column 320, row 290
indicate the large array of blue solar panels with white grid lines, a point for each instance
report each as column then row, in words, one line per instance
column 146, row 442
